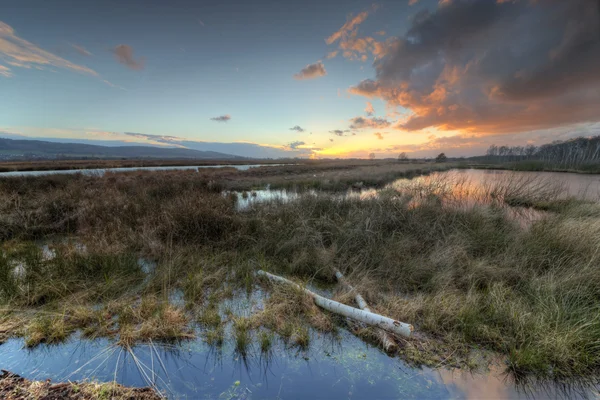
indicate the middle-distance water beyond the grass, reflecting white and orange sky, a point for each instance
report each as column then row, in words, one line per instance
column 465, row 188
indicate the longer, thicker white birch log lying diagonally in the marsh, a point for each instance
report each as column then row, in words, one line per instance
column 367, row 317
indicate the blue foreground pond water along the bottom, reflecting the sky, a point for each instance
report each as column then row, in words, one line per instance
column 332, row 367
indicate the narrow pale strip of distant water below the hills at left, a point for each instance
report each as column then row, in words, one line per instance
column 101, row 171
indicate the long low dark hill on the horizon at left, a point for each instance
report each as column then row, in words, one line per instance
column 38, row 149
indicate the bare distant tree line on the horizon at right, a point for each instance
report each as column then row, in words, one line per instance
column 567, row 153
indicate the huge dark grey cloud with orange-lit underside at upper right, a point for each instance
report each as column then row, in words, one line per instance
column 467, row 66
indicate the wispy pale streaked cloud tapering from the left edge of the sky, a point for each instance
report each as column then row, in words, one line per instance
column 18, row 52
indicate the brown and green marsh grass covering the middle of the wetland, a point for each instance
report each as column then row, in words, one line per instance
column 465, row 273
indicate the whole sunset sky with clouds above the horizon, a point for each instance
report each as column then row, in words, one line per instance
column 271, row 78
